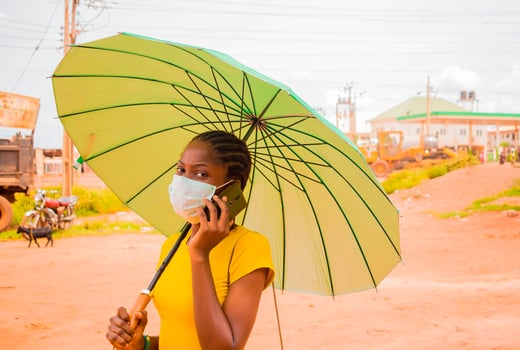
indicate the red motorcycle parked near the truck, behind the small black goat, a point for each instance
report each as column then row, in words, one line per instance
column 50, row 212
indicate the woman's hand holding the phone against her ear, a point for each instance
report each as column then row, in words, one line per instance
column 211, row 232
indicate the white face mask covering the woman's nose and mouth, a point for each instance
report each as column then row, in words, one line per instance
column 186, row 196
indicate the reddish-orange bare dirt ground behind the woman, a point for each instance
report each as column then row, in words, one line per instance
column 458, row 287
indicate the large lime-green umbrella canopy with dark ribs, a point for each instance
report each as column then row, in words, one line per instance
column 131, row 104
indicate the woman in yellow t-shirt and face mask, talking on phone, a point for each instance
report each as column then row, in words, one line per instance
column 209, row 294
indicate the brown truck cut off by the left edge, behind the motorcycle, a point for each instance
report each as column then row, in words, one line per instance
column 17, row 155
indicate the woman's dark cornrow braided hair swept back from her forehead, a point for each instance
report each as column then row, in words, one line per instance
column 230, row 151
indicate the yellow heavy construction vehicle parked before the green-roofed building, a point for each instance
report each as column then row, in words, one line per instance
column 390, row 151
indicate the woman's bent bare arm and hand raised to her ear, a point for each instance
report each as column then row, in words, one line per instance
column 227, row 326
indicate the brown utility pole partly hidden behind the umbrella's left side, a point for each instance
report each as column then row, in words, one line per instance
column 69, row 37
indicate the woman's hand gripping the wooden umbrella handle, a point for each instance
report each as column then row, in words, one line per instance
column 121, row 335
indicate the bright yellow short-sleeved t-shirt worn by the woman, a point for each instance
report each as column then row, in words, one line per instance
column 242, row 252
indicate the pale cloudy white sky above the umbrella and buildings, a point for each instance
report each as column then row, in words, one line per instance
column 382, row 51
